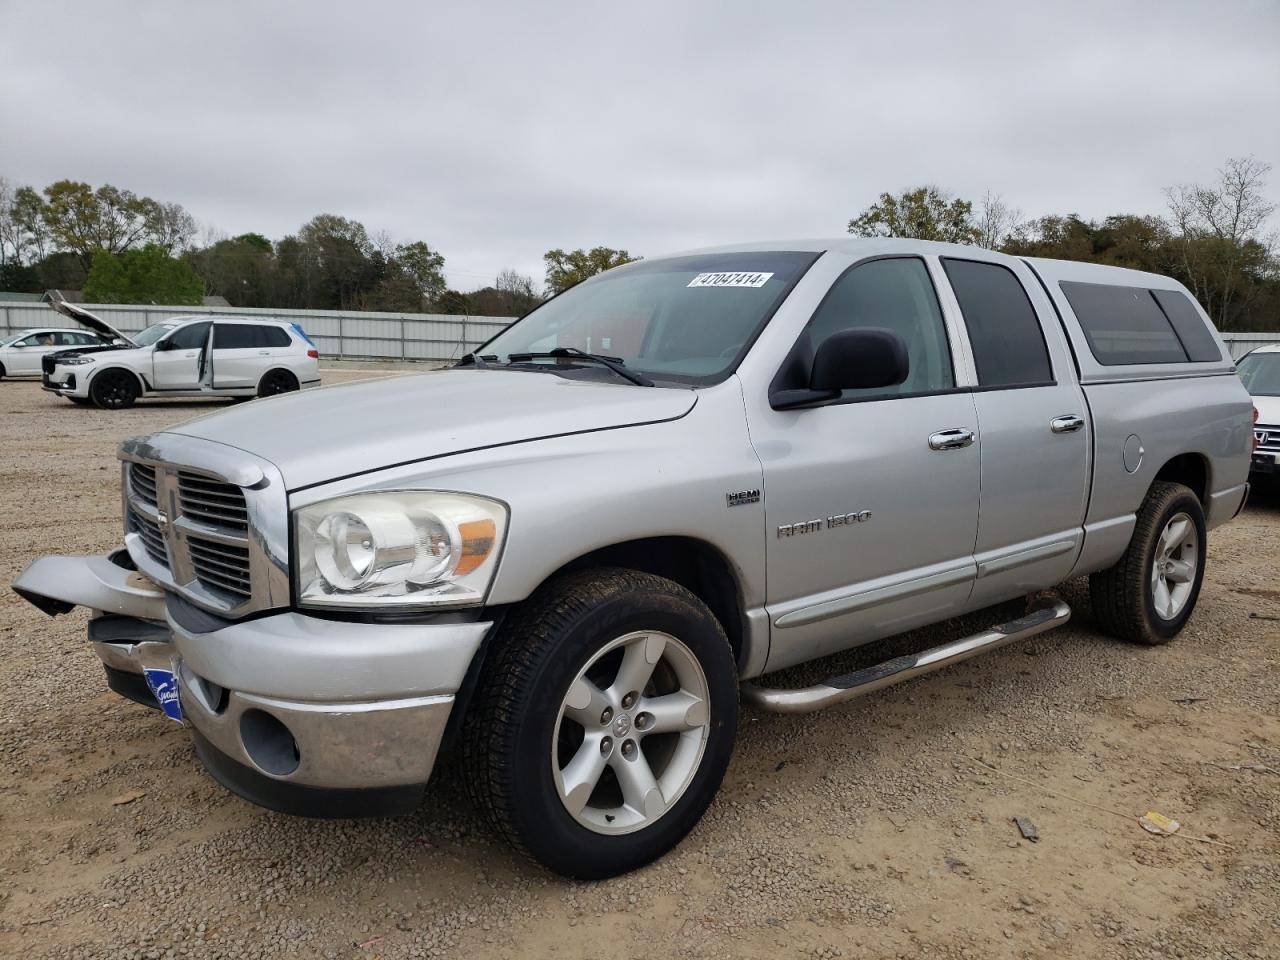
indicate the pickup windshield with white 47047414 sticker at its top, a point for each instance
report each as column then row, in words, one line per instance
column 685, row 319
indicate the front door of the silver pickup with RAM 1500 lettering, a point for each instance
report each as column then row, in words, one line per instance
column 872, row 499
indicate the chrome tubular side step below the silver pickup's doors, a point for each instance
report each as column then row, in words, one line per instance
column 895, row 671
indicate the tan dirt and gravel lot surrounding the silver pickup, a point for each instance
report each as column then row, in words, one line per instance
column 876, row 830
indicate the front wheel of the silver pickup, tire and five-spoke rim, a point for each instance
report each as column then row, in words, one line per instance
column 584, row 633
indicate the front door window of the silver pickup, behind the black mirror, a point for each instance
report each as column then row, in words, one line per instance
column 897, row 295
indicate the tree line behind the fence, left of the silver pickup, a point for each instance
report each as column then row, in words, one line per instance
column 118, row 248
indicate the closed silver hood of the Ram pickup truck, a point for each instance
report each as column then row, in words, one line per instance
column 337, row 432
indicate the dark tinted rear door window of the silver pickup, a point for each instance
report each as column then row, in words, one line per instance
column 1004, row 331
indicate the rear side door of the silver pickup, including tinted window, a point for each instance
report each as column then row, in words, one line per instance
column 1035, row 428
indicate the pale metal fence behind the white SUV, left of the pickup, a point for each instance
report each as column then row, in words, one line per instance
column 432, row 337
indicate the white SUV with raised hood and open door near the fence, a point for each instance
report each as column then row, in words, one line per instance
column 188, row 356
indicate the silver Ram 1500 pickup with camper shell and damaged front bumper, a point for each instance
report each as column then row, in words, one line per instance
column 573, row 555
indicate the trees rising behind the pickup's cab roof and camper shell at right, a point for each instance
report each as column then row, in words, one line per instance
column 1213, row 237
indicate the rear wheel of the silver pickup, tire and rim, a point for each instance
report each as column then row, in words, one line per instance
column 1151, row 592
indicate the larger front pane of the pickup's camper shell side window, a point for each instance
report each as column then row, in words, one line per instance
column 1124, row 324
